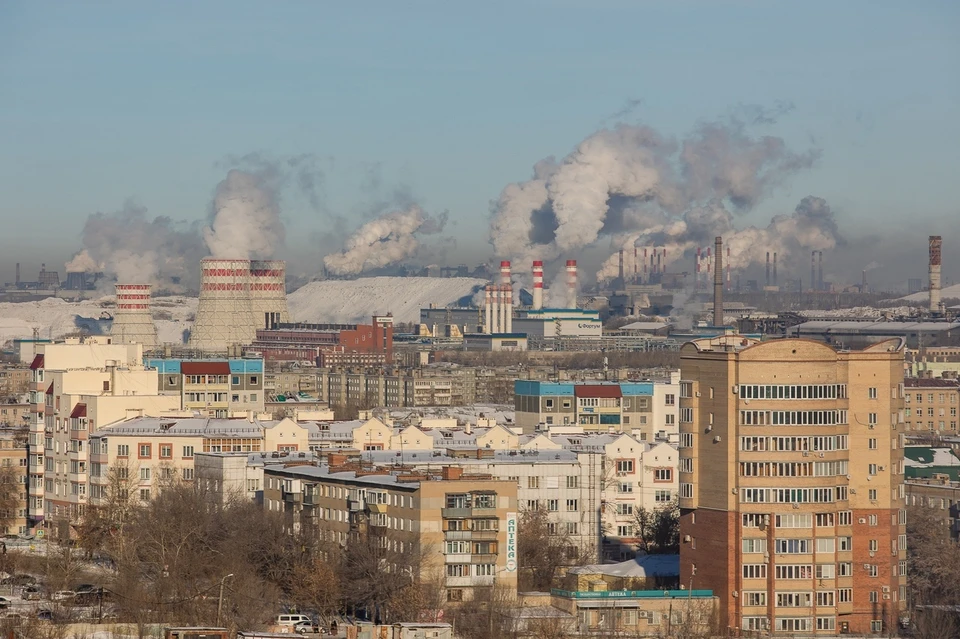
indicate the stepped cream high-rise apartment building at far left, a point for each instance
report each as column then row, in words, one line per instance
column 80, row 387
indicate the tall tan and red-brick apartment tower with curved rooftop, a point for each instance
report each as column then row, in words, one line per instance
column 793, row 531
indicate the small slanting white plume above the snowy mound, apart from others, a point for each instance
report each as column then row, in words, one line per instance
column 386, row 240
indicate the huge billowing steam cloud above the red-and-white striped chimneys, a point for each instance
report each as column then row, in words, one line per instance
column 638, row 188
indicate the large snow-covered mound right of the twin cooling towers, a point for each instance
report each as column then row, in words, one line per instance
column 346, row 301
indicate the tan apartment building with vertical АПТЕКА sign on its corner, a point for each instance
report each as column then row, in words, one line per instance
column 464, row 525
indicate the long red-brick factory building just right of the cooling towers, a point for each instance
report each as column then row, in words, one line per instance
column 327, row 344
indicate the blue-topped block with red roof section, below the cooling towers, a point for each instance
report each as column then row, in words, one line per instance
column 214, row 388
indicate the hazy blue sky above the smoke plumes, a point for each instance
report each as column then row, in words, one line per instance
column 445, row 103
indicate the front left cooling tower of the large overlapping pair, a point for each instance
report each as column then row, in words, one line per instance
column 224, row 315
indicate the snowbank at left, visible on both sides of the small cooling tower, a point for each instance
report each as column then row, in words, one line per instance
column 54, row 317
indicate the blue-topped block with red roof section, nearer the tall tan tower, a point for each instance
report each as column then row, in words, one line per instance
column 629, row 407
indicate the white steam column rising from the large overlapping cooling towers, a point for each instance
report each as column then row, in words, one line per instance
column 246, row 219
